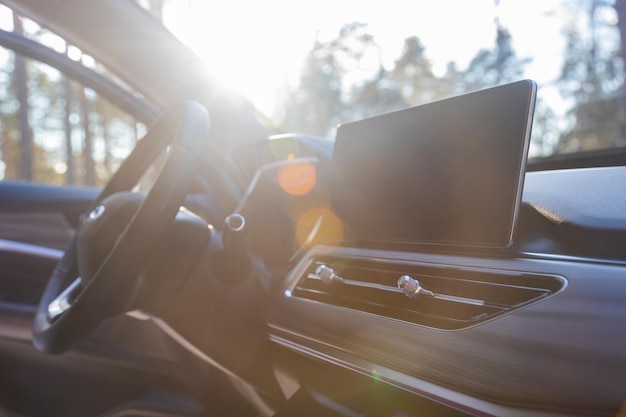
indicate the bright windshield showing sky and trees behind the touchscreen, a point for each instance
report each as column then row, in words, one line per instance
column 309, row 67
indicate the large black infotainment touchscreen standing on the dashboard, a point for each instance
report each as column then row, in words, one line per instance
column 448, row 172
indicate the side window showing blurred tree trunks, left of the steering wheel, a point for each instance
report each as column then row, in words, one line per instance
column 53, row 129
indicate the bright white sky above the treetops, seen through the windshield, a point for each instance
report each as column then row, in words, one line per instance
column 255, row 46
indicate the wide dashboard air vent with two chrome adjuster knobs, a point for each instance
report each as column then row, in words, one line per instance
column 446, row 298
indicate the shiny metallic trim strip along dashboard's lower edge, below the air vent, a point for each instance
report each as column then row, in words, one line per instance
column 442, row 395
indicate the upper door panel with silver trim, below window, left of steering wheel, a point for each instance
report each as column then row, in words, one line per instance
column 36, row 223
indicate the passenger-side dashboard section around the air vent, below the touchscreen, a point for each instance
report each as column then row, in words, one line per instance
column 560, row 353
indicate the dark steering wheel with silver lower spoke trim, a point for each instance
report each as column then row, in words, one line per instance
column 98, row 276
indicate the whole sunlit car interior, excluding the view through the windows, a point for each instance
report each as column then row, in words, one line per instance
column 419, row 264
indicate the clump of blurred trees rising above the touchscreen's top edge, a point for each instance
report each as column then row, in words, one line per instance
column 344, row 80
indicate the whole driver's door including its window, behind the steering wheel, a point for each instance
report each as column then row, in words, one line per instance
column 64, row 122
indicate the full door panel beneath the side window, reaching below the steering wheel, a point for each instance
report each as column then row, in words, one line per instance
column 125, row 361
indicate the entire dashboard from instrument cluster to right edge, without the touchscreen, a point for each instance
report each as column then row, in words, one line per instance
column 534, row 327
